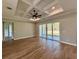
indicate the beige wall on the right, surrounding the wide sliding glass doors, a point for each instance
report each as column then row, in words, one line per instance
column 68, row 28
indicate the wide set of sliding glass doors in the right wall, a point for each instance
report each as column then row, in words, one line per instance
column 50, row 31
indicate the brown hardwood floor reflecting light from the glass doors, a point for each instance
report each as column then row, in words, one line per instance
column 34, row 48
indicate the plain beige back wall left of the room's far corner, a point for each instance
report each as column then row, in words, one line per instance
column 23, row 30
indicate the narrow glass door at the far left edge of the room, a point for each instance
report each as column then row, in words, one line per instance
column 7, row 30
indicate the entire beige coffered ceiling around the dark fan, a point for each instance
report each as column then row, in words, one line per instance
column 20, row 9
